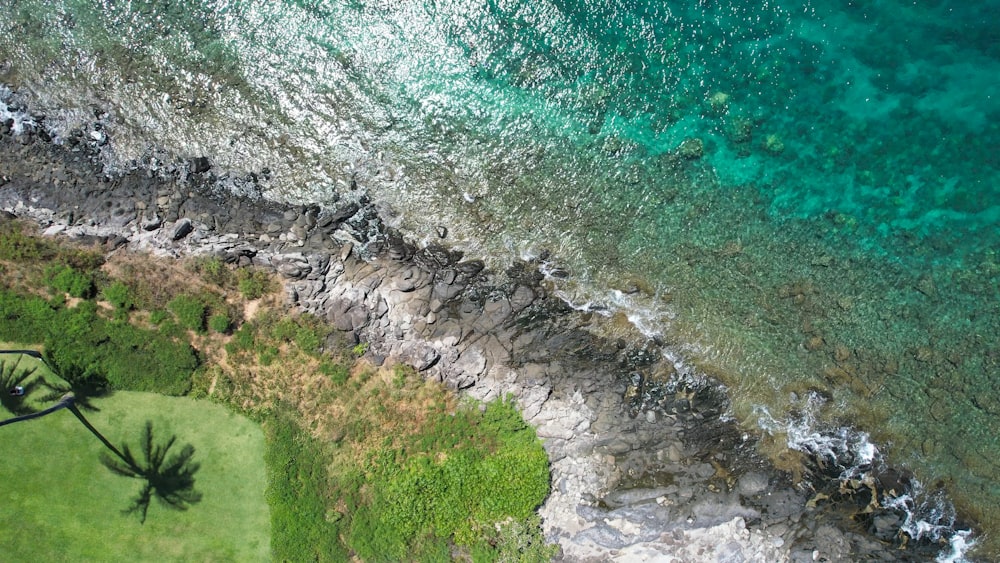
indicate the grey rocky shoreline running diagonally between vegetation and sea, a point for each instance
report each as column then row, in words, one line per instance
column 645, row 465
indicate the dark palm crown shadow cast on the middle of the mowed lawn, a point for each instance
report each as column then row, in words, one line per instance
column 167, row 478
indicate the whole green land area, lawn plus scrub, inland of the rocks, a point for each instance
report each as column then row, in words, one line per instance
column 360, row 461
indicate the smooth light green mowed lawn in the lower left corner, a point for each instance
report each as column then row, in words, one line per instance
column 59, row 503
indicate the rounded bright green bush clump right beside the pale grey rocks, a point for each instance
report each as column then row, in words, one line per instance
column 452, row 484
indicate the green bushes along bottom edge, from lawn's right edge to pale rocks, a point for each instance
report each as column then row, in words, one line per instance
column 471, row 481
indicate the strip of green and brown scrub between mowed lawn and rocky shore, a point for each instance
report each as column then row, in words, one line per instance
column 361, row 461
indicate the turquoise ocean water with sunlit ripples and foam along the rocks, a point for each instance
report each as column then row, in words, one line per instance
column 805, row 195
